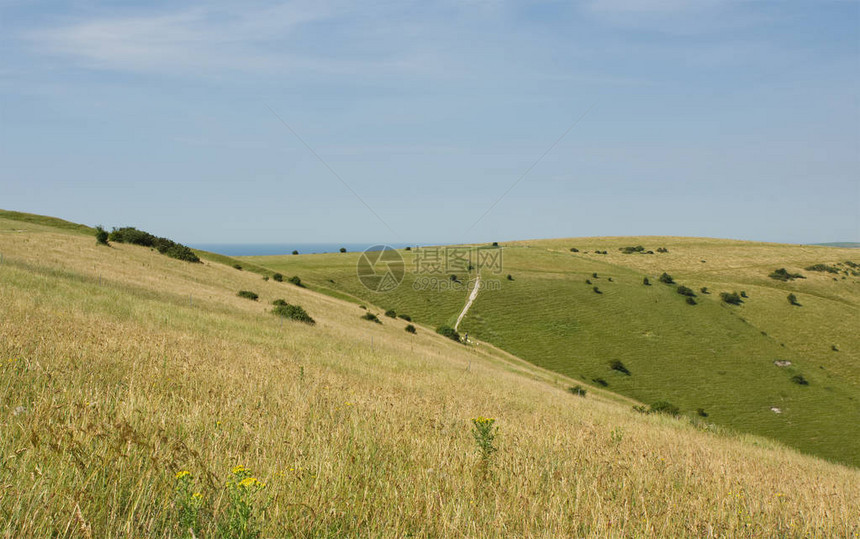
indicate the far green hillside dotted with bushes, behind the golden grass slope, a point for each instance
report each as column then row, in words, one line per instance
column 710, row 358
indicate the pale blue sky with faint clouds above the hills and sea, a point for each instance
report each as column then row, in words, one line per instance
column 735, row 118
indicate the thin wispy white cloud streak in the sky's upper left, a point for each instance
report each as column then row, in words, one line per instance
column 197, row 40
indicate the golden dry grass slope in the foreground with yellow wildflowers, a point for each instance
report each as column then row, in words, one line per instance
column 122, row 368
